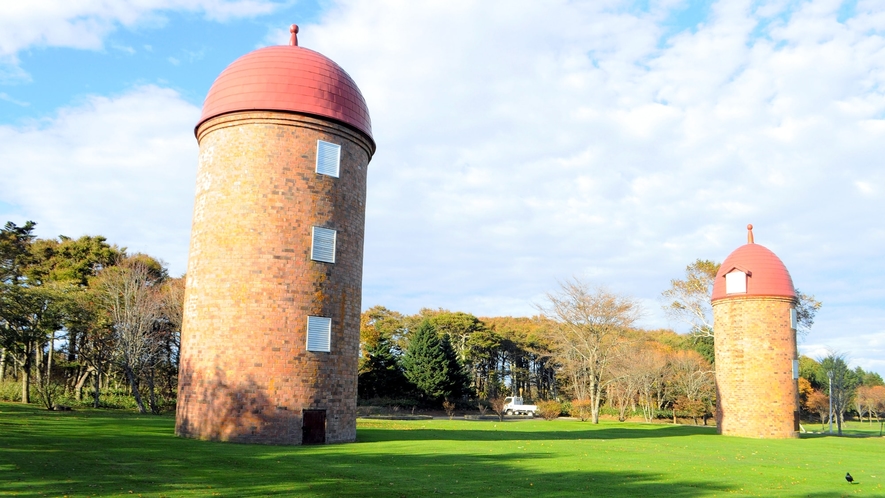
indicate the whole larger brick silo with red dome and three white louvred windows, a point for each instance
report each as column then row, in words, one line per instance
column 270, row 338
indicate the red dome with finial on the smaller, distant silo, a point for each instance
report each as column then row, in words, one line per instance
column 766, row 273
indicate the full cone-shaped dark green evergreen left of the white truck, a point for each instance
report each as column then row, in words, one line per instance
column 430, row 363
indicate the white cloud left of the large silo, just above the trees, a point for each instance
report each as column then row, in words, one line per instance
column 123, row 167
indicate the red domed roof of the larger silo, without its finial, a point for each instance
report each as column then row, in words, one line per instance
column 288, row 78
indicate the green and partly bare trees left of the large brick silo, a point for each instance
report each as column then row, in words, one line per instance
column 81, row 315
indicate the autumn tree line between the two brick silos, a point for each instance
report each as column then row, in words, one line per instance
column 583, row 348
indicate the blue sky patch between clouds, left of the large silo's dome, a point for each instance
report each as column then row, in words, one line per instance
column 179, row 50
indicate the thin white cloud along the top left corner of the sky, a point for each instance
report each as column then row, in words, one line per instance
column 84, row 24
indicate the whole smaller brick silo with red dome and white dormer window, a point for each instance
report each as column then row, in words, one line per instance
column 757, row 364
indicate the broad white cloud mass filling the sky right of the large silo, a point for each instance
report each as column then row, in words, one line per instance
column 521, row 143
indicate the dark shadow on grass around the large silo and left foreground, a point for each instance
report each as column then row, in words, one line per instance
column 98, row 455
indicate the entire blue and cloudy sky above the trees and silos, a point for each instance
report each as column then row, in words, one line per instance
column 520, row 143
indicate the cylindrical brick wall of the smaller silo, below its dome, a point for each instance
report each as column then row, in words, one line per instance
column 755, row 348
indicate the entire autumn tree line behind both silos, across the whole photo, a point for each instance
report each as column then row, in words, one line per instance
column 81, row 317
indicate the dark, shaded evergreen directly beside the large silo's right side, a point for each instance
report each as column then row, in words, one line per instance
column 380, row 373
